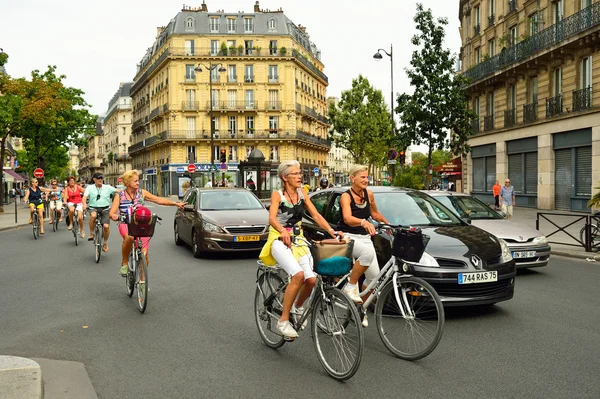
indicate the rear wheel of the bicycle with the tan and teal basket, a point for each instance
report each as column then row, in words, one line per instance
column 266, row 315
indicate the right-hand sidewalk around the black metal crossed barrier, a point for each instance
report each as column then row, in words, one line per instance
column 528, row 216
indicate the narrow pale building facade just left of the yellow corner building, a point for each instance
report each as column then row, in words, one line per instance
column 117, row 135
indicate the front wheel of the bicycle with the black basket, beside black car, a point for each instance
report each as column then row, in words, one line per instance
column 411, row 323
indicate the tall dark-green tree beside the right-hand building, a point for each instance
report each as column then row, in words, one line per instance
column 437, row 113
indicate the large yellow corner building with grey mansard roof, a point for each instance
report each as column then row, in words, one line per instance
column 258, row 75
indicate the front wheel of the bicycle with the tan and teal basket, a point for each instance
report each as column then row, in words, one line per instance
column 337, row 334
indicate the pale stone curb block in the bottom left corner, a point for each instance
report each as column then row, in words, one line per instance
column 20, row 378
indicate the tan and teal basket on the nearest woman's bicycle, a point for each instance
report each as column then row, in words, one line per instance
column 332, row 257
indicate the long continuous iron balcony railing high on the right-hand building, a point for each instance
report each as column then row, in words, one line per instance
column 545, row 39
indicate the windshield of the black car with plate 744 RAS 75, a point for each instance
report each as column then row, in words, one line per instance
column 414, row 209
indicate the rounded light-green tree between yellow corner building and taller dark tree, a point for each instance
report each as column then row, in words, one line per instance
column 361, row 123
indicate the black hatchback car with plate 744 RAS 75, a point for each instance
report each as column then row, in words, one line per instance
column 458, row 258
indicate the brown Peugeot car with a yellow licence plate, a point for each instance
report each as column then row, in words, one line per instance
column 221, row 220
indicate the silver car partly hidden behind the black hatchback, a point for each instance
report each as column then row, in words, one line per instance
column 528, row 246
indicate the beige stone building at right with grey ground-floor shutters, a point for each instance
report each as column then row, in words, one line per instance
column 534, row 67
